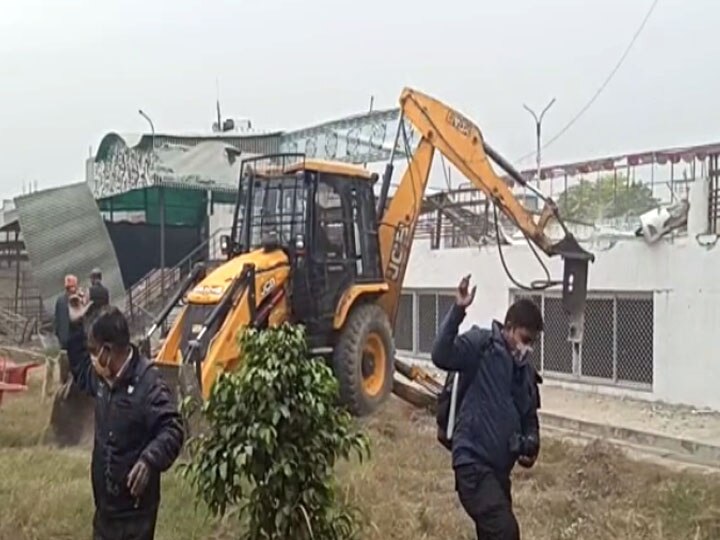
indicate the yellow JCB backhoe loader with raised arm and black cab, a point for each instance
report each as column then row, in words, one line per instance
column 310, row 244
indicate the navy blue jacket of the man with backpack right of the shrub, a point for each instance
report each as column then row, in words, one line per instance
column 502, row 398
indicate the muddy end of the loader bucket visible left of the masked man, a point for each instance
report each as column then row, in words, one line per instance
column 72, row 417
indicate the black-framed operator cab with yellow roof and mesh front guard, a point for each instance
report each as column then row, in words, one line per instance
column 322, row 215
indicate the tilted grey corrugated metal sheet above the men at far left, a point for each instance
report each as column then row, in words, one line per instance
column 64, row 234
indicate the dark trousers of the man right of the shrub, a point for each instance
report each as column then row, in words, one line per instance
column 486, row 498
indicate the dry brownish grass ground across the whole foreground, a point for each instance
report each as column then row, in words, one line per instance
column 405, row 491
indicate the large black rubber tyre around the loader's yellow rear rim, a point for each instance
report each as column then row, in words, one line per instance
column 364, row 320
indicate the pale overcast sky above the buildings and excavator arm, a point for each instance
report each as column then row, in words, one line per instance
column 72, row 70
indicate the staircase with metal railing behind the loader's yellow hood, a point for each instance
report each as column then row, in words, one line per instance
column 146, row 298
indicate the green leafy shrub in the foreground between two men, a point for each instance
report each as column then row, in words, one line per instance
column 274, row 433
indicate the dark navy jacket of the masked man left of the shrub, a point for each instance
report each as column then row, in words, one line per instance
column 135, row 417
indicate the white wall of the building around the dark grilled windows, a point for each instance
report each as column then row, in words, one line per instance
column 681, row 274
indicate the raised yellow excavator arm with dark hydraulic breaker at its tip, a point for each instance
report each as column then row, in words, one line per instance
column 457, row 138
